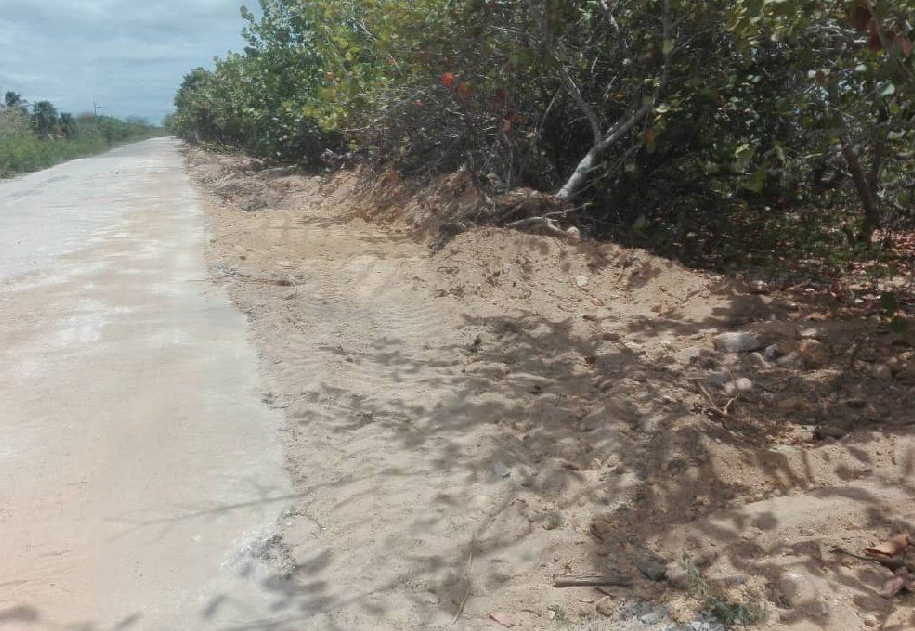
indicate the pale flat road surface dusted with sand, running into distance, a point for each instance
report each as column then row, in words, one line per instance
column 140, row 472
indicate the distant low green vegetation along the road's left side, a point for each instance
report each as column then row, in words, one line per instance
column 34, row 137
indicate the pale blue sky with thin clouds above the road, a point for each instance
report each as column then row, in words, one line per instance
column 128, row 55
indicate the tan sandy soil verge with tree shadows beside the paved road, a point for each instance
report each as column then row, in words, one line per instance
column 467, row 421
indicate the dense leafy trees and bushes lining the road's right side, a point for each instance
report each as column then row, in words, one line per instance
column 702, row 128
